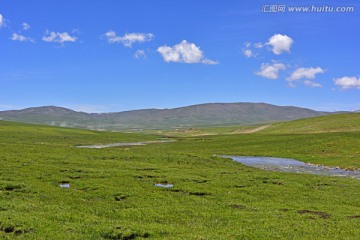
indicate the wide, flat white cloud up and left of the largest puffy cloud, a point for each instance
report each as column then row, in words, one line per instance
column 129, row 38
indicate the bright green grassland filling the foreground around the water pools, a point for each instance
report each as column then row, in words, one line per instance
column 112, row 193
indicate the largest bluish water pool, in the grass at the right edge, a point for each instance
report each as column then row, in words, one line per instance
column 292, row 165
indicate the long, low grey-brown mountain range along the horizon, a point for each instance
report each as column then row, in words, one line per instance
column 190, row 116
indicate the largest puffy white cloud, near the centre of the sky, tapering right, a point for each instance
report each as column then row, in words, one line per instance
column 184, row 52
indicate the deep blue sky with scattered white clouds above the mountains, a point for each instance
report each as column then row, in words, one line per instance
column 102, row 56
